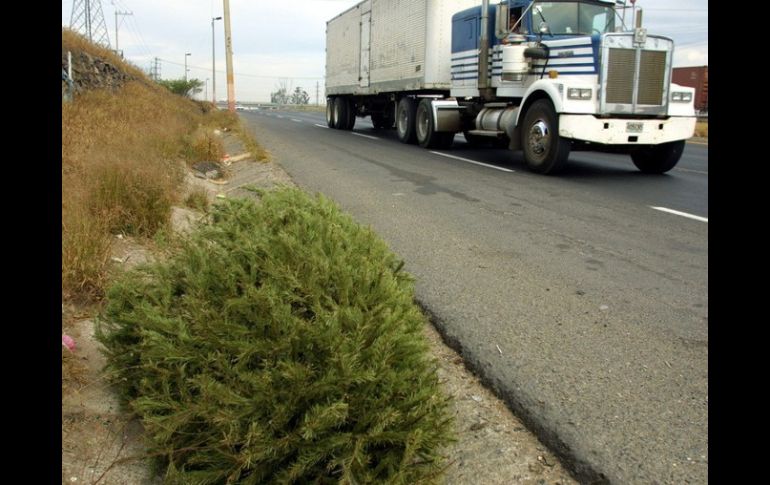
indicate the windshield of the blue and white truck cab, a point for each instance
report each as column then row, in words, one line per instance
column 575, row 17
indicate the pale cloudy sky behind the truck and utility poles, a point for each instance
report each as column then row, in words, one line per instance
column 282, row 43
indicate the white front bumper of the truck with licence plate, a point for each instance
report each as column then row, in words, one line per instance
column 624, row 131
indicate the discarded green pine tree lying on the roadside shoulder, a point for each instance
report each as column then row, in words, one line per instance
column 281, row 344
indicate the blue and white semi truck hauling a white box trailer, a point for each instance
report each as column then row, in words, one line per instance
column 542, row 77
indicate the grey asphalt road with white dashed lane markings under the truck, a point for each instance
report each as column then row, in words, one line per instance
column 581, row 299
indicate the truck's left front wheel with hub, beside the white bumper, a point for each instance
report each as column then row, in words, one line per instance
column 545, row 151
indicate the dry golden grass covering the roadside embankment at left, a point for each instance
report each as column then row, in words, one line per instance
column 122, row 170
